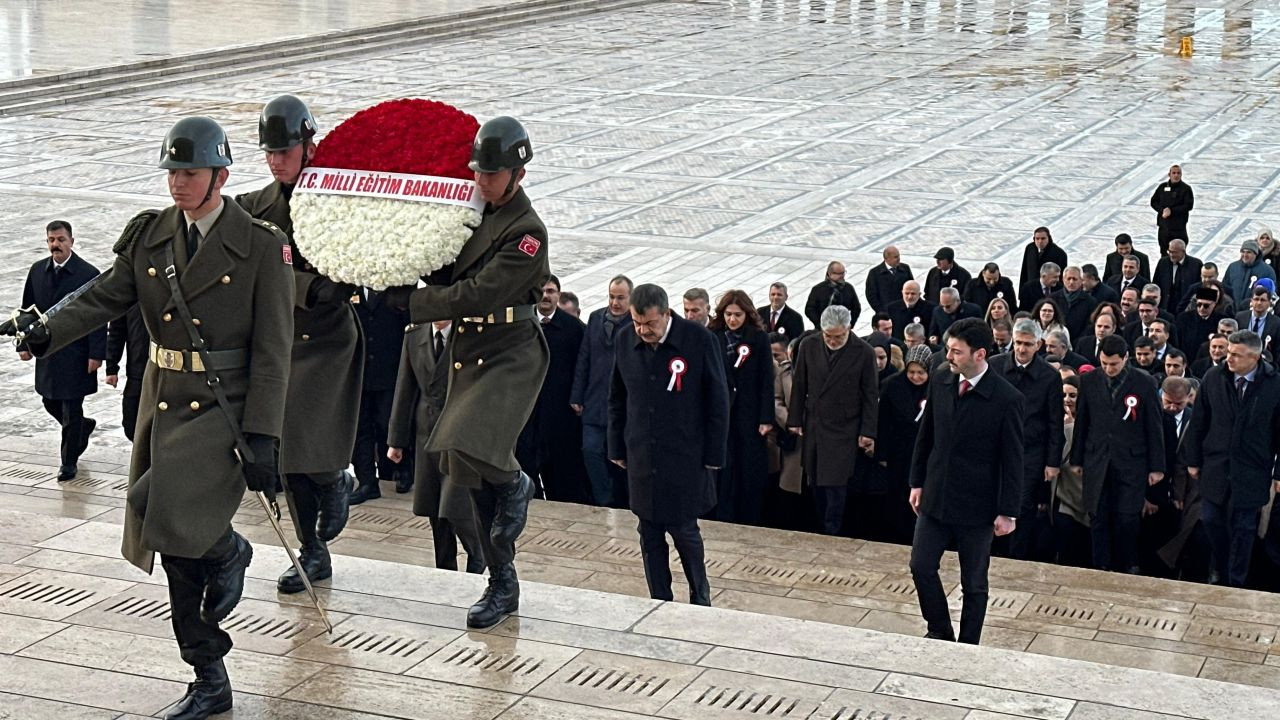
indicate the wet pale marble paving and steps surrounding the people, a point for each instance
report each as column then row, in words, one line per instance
column 719, row 144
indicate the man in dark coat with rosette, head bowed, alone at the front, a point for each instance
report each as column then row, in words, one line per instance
column 669, row 429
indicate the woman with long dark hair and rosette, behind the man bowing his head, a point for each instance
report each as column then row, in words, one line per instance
column 749, row 370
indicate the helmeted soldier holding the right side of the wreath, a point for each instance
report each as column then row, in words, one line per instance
column 499, row 356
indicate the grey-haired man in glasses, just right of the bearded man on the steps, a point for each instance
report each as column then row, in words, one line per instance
column 1041, row 388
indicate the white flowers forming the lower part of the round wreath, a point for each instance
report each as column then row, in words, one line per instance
column 377, row 241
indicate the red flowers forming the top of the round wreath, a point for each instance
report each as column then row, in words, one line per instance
column 414, row 136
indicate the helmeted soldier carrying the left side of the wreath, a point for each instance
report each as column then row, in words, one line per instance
column 326, row 363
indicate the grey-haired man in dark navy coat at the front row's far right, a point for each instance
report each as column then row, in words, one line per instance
column 1233, row 450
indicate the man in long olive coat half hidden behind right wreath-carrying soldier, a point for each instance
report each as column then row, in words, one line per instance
column 420, row 391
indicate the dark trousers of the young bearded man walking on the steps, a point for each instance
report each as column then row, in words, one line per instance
column 973, row 545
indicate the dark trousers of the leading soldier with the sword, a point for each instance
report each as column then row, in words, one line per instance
column 199, row 642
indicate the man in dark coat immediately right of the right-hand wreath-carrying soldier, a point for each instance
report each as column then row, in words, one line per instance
column 550, row 449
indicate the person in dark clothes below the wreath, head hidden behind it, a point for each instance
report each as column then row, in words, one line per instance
column 385, row 339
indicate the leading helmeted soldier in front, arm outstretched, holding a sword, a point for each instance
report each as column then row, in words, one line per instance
column 214, row 291
